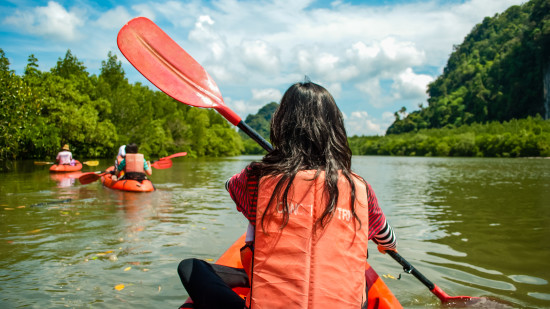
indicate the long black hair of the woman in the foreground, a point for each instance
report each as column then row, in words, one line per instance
column 308, row 133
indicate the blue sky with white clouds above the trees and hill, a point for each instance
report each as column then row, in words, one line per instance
column 373, row 56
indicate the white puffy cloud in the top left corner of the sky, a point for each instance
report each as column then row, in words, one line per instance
column 52, row 21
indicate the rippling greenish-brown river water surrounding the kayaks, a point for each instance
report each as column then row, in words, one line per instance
column 473, row 226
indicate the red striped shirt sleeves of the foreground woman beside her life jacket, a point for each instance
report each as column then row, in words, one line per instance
column 243, row 189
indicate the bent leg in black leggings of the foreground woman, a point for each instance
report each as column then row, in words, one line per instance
column 209, row 285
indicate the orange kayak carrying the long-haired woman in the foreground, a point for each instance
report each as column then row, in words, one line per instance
column 379, row 296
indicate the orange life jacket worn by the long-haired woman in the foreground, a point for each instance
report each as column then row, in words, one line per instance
column 305, row 265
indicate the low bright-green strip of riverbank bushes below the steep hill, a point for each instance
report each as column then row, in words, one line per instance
column 529, row 137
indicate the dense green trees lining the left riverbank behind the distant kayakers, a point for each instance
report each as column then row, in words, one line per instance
column 41, row 111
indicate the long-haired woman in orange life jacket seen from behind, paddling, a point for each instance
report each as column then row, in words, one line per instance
column 310, row 217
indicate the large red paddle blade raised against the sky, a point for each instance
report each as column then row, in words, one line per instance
column 169, row 67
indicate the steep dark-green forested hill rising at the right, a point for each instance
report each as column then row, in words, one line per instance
column 496, row 74
